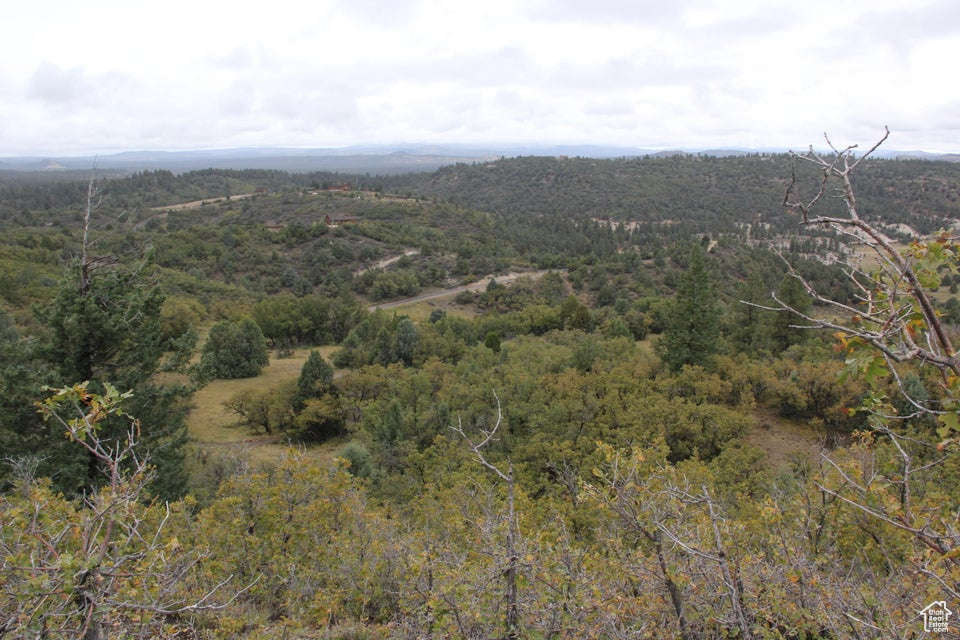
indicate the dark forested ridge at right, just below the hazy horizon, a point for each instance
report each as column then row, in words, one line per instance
column 715, row 193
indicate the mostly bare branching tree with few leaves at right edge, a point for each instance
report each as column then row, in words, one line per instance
column 892, row 326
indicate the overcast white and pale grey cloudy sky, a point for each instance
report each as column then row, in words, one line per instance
column 101, row 76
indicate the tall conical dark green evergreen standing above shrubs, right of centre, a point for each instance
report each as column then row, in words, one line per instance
column 692, row 332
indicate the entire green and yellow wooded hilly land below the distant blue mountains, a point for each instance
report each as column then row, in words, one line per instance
column 692, row 412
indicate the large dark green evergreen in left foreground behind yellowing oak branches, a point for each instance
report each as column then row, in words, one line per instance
column 105, row 327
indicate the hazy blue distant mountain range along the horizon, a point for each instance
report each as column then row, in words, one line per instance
column 366, row 159
